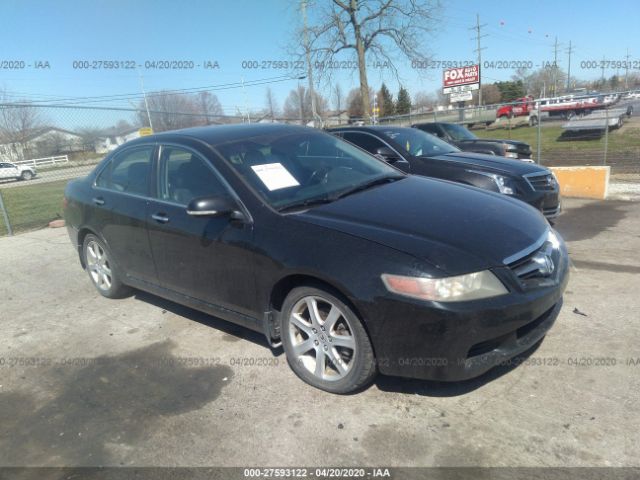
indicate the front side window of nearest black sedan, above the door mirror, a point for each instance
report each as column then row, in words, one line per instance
column 185, row 175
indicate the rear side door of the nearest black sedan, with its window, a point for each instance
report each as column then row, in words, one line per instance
column 120, row 199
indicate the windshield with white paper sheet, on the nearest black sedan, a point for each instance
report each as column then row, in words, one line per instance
column 302, row 168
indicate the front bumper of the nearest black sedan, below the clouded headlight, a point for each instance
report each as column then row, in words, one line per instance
column 453, row 342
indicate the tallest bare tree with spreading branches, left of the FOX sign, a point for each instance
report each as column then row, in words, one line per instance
column 371, row 30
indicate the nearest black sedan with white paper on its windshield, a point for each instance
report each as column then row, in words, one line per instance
column 354, row 266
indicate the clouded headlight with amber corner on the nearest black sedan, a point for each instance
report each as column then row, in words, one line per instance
column 471, row 286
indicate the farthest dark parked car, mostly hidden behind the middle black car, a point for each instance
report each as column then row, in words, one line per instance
column 466, row 141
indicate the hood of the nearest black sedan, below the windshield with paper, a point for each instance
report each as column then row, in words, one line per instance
column 456, row 228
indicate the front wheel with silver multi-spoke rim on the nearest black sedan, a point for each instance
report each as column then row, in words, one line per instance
column 325, row 342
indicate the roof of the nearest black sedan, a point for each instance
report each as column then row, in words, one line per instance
column 216, row 134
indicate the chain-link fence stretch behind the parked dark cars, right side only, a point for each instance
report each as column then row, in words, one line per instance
column 566, row 137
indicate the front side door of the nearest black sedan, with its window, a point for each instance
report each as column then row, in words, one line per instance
column 207, row 258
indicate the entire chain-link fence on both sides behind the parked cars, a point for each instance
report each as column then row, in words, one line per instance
column 43, row 147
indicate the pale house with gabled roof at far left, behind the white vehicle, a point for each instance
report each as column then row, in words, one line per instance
column 41, row 142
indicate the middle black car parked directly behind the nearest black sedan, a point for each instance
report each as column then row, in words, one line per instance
column 417, row 152
